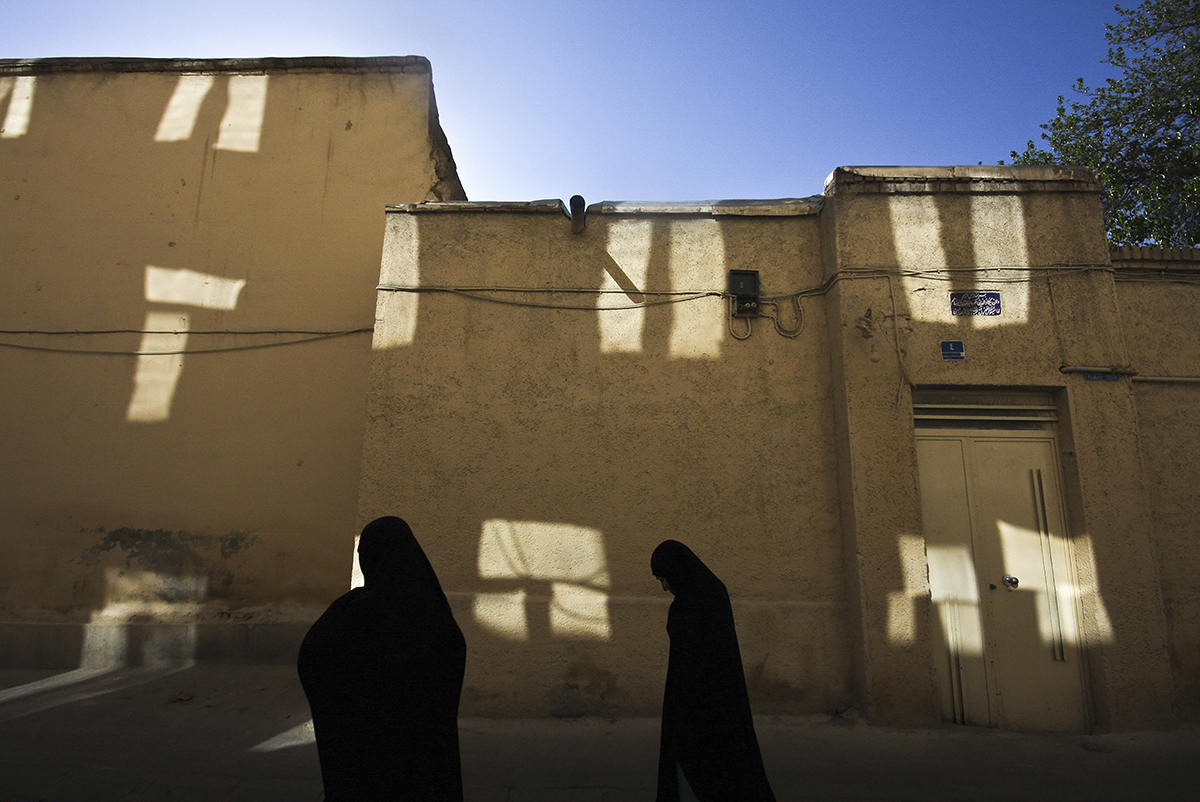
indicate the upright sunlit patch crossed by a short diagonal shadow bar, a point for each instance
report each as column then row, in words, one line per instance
column 629, row 246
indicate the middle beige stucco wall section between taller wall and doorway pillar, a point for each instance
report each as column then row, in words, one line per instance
column 541, row 454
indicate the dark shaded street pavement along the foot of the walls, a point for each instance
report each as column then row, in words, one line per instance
column 226, row 734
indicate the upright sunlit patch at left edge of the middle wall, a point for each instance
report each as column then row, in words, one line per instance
column 397, row 312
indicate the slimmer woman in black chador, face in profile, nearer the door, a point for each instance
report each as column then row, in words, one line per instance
column 709, row 739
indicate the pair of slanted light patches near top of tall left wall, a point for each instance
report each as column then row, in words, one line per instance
column 242, row 127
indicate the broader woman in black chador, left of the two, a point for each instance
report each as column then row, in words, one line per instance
column 383, row 673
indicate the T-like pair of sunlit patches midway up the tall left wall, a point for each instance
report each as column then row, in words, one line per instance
column 165, row 336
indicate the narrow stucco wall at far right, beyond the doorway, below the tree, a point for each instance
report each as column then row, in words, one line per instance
column 1159, row 294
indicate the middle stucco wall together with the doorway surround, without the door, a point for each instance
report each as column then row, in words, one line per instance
column 542, row 453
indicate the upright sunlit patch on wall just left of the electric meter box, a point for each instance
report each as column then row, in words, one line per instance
column 698, row 260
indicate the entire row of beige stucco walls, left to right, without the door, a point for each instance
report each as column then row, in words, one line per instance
column 544, row 406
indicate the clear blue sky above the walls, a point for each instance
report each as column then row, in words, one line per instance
column 655, row 100
